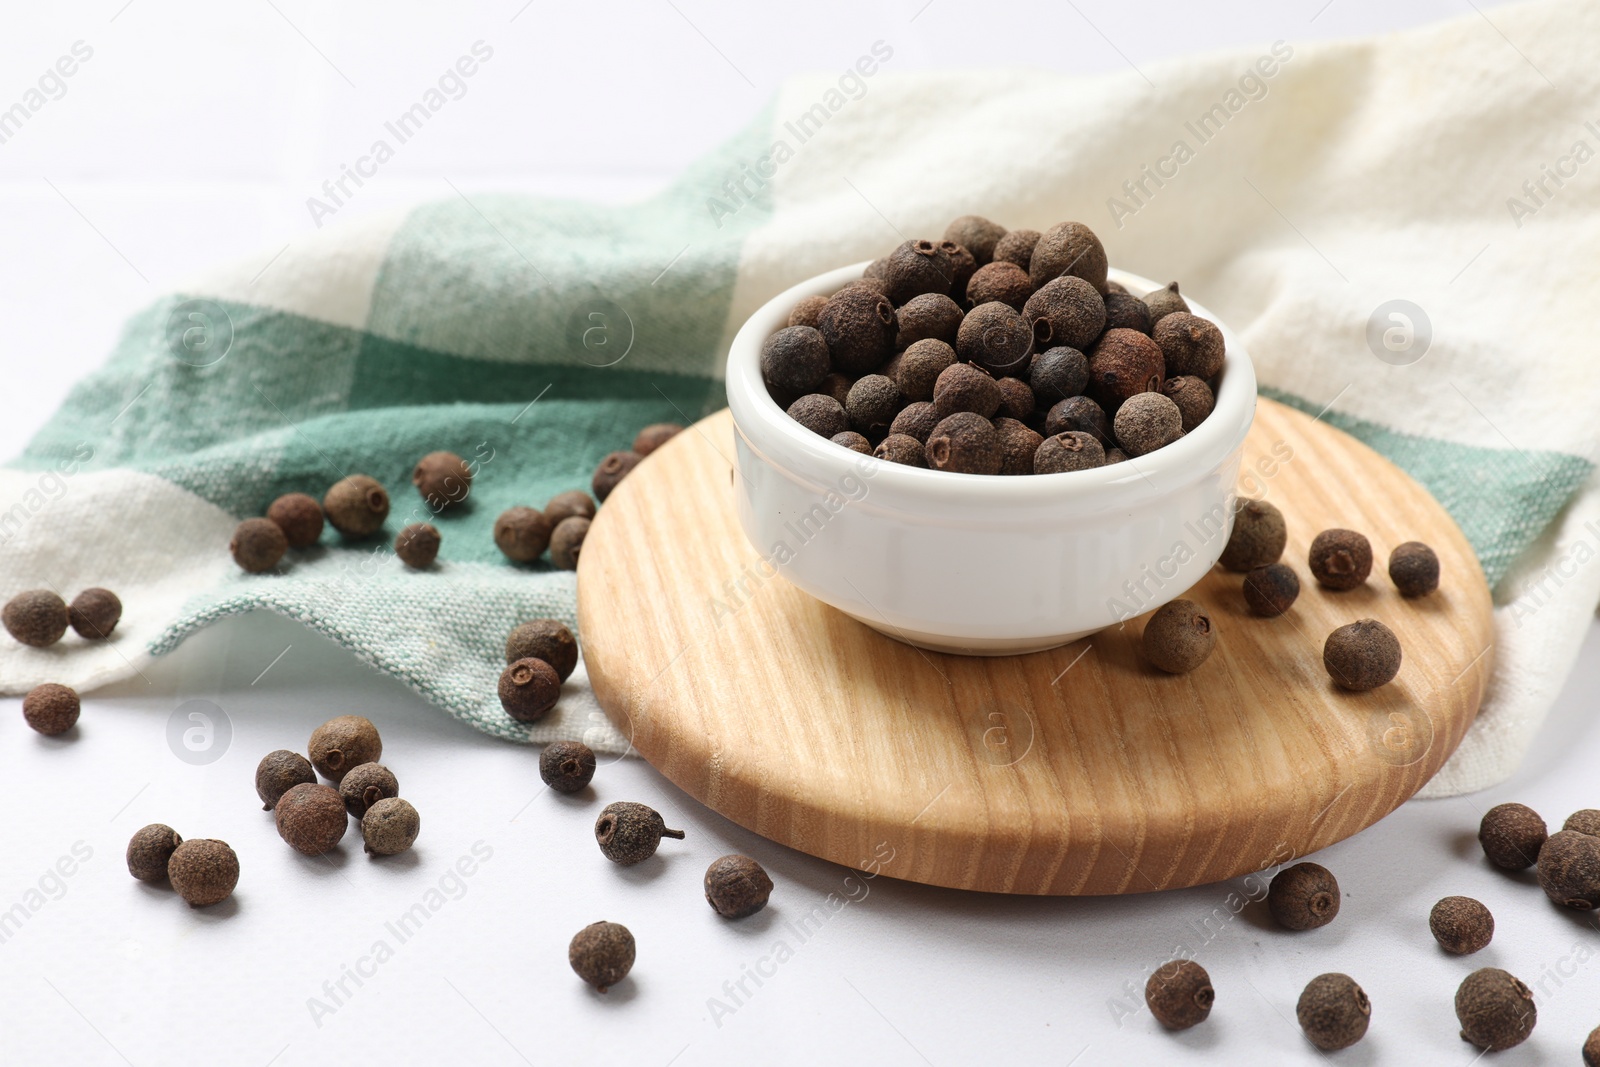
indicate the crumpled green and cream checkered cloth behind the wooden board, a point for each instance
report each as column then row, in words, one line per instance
column 1295, row 190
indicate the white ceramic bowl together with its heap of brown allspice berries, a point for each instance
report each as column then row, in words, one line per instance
column 974, row 441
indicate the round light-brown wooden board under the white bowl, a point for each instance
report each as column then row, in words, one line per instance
column 1071, row 772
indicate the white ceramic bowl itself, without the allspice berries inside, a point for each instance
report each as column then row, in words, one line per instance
column 982, row 564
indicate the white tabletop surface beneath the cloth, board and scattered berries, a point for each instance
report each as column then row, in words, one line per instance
column 194, row 135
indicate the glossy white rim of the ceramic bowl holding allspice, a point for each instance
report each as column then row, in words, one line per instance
column 769, row 428
